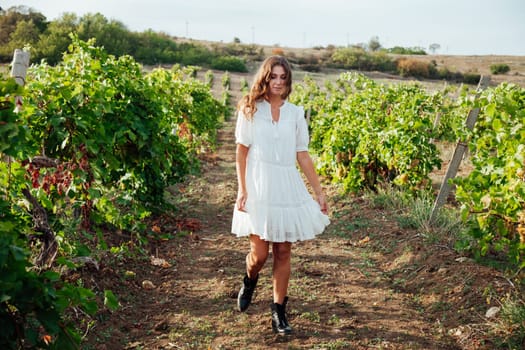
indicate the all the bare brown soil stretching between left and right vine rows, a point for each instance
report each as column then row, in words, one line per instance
column 366, row 283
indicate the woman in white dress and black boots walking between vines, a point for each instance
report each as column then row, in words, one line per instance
column 273, row 204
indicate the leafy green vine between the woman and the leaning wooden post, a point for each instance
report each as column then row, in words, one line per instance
column 364, row 133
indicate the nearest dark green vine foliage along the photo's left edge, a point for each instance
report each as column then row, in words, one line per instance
column 32, row 301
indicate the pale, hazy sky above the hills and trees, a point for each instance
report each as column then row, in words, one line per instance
column 459, row 27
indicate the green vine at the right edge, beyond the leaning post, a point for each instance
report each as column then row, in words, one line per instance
column 492, row 196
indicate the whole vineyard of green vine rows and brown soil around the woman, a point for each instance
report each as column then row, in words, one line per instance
column 117, row 189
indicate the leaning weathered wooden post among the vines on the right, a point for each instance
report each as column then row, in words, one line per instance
column 461, row 147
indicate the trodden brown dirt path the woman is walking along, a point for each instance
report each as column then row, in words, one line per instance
column 339, row 297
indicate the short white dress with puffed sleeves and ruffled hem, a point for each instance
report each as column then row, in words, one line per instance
column 279, row 207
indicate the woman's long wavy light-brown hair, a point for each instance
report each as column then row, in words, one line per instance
column 261, row 82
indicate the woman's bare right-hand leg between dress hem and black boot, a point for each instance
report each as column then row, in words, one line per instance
column 281, row 270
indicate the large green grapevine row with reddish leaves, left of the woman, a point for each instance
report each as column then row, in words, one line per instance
column 95, row 144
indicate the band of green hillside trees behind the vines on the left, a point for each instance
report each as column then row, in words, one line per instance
column 21, row 26
